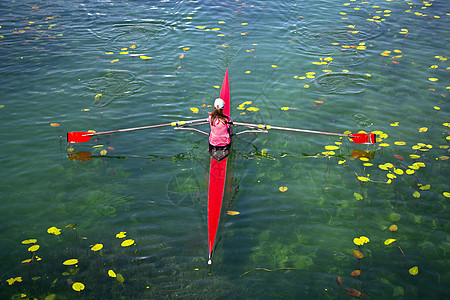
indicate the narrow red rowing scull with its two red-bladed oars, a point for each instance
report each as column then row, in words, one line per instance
column 218, row 169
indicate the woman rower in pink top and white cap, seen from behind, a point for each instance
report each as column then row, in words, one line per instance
column 220, row 134
